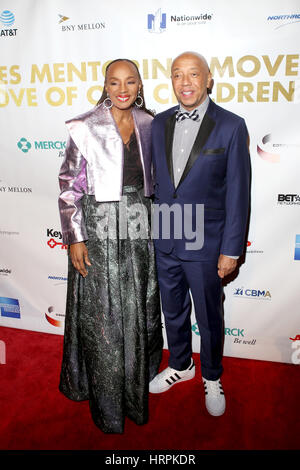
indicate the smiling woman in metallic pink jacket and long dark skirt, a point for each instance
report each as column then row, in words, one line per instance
column 113, row 339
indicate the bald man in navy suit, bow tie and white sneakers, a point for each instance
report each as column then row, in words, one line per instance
column 202, row 172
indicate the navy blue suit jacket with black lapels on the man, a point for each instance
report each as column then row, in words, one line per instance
column 216, row 175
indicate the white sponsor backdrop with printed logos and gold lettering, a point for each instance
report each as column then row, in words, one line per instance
column 52, row 57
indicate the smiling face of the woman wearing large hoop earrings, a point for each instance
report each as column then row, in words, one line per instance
column 122, row 84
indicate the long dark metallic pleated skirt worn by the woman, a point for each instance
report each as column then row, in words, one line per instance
column 113, row 338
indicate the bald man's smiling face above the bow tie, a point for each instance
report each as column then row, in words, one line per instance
column 190, row 80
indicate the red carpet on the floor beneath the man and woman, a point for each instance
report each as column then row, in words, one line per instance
column 262, row 406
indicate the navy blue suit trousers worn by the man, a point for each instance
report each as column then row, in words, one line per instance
column 177, row 280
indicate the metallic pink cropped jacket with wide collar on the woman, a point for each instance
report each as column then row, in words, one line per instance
column 94, row 164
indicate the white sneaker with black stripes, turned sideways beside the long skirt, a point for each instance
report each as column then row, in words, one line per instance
column 169, row 377
